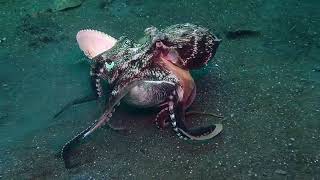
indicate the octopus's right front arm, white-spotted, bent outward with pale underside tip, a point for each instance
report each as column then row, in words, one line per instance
column 177, row 118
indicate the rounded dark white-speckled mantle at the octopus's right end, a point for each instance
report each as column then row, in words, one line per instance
column 194, row 45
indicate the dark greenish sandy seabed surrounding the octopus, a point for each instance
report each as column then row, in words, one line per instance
column 265, row 83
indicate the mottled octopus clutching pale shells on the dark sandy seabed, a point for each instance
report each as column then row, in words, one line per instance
column 152, row 73
